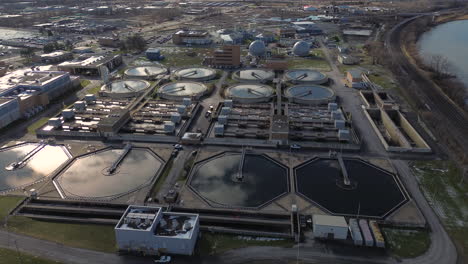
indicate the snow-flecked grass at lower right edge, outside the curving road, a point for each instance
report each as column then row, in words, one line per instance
column 441, row 183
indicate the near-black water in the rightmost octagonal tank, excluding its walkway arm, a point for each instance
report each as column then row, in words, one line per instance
column 377, row 192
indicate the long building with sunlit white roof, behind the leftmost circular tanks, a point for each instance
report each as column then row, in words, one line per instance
column 98, row 65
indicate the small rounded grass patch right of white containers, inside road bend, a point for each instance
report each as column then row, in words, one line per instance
column 407, row 243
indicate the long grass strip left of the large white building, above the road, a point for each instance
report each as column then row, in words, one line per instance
column 88, row 236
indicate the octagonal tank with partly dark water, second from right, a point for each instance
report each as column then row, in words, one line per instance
column 226, row 180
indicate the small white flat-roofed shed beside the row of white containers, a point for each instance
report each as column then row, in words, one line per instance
column 330, row 227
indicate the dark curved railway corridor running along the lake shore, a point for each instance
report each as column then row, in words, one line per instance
column 430, row 94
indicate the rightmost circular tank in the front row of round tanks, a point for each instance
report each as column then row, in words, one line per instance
column 310, row 94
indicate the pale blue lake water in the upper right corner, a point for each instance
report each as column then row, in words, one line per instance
column 451, row 41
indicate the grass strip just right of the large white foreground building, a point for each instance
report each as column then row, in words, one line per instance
column 212, row 244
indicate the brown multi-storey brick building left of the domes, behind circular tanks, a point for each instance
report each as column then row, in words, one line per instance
column 228, row 56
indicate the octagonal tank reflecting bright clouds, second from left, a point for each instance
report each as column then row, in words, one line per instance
column 108, row 173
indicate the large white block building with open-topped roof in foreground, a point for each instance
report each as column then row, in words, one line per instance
column 149, row 230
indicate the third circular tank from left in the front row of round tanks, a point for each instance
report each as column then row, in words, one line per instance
column 249, row 93
